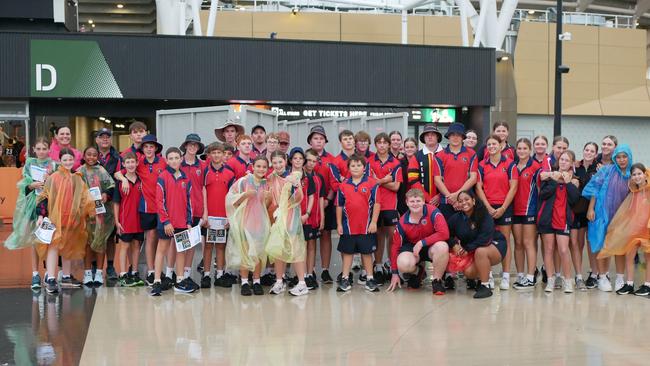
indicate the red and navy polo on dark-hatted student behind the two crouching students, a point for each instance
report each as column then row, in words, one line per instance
column 456, row 168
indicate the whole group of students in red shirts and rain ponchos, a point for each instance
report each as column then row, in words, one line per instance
column 455, row 207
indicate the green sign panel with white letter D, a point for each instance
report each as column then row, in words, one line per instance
column 70, row 69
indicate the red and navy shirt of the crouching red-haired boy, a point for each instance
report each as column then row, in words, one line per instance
column 431, row 228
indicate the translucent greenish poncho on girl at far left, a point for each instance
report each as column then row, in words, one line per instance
column 24, row 220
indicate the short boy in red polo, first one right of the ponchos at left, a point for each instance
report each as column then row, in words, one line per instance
column 127, row 221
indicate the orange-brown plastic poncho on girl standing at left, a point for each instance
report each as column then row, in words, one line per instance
column 69, row 205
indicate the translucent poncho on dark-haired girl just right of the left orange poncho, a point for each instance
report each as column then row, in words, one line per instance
column 104, row 224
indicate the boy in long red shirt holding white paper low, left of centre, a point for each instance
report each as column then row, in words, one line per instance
column 173, row 197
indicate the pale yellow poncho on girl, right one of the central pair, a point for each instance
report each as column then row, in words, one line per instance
column 286, row 241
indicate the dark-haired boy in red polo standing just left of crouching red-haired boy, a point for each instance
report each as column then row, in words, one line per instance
column 387, row 171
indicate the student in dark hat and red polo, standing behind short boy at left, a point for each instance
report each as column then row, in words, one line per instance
column 150, row 165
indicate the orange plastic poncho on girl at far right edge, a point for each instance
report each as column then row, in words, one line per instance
column 631, row 224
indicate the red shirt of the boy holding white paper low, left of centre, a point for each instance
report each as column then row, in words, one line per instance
column 173, row 196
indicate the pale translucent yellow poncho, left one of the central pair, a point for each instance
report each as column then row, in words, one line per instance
column 249, row 224
